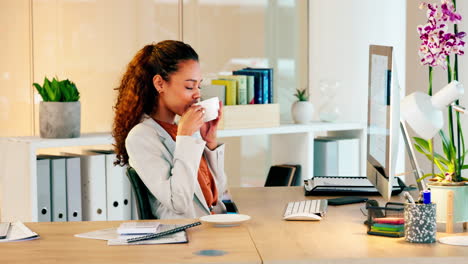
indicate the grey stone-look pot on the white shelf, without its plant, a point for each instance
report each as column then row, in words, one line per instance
column 60, row 119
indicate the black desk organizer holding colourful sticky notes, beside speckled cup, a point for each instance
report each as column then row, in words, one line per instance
column 385, row 221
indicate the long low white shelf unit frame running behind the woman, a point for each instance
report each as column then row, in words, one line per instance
column 290, row 143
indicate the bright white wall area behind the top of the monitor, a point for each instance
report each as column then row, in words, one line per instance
column 340, row 33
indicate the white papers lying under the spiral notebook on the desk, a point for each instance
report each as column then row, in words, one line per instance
column 113, row 238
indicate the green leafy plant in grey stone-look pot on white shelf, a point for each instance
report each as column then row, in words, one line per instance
column 60, row 110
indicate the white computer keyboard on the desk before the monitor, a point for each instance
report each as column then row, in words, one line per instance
column 305, row 210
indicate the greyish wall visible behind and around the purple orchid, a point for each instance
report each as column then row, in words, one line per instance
column 417, row 74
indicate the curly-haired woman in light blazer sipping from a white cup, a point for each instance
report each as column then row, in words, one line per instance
column 184, row 173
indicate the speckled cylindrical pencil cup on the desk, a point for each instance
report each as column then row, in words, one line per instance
column 420, row 223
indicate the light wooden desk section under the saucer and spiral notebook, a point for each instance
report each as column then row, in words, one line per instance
column 58, row 245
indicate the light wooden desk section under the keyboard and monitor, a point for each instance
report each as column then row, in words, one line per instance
column 338, row 238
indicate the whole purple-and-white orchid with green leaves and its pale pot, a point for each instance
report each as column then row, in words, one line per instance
column 438, row 44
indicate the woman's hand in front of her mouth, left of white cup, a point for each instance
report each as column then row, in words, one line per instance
column 191, row 121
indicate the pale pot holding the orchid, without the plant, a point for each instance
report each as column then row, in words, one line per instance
column 460, row 202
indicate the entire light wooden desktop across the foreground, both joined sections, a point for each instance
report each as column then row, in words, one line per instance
column 338, row 238
